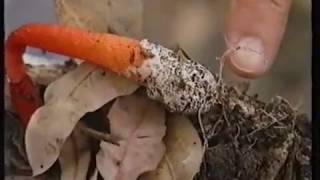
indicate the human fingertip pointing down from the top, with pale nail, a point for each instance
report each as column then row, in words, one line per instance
column 253, row 33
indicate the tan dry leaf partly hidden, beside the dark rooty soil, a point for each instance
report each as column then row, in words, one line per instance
column 184, row 152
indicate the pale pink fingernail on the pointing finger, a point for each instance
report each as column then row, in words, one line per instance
column 248, row 59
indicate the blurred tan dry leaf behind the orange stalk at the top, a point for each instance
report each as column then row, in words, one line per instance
column 123, row 17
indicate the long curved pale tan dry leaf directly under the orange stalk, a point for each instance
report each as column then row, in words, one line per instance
column 82, row 90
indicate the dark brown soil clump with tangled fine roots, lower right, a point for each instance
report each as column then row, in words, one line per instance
column 250, row 139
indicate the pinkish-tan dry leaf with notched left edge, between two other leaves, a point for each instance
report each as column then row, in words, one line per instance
column 140, row 123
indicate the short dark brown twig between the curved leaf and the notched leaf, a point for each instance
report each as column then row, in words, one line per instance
column 99, row 135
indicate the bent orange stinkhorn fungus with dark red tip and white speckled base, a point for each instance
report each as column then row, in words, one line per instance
column 182, row 85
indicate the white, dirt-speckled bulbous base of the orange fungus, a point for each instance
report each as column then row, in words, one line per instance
column 184, row 86
